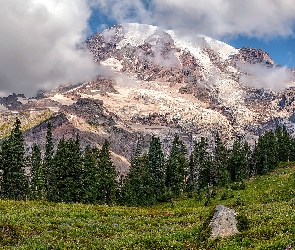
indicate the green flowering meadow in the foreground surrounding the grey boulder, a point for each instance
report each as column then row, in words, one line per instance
column 267, row 202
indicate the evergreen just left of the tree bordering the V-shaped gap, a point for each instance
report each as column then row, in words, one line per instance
column 90, row 176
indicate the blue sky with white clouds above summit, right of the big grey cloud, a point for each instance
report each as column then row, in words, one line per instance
column 240, row 25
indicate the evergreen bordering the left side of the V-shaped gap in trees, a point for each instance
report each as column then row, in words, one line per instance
column 108, row 175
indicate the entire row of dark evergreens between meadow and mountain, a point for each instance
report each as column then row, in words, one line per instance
column 70, row 174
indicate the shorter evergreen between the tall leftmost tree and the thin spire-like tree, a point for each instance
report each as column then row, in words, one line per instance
column 37, row 183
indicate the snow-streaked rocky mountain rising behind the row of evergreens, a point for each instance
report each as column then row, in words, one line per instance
column 163, row 83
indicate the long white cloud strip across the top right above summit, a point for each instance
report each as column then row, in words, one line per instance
column 217, row 18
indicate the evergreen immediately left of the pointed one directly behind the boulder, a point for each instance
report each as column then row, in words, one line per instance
column 200, row 166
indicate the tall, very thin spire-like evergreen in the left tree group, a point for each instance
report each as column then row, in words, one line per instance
column 47, row 161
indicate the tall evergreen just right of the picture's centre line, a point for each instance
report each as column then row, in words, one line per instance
column 156, row 167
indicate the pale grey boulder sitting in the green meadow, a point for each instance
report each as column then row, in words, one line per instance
column 223, row 223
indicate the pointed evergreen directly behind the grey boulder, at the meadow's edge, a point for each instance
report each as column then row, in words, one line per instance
column 220, row 174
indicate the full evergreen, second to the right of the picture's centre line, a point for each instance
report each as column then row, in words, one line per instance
column 175, row 167
